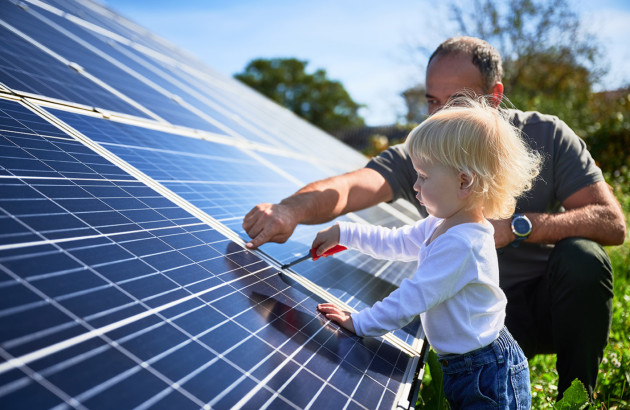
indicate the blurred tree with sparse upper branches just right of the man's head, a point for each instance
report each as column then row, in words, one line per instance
column 550, row 63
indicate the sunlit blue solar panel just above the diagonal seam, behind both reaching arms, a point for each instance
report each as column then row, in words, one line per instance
column 227, row 190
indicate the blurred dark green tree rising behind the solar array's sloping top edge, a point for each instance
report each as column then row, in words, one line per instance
column 319, row 100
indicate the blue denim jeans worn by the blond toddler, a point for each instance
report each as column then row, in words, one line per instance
column 494, row 376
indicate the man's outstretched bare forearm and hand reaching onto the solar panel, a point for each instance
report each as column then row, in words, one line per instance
column 317, row 202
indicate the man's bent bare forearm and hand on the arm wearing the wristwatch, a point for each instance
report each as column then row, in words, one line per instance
column 592, row 212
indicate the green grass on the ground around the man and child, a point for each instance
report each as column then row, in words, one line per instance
column 613, row 383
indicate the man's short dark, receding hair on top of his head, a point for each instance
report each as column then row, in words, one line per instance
column 484, row 56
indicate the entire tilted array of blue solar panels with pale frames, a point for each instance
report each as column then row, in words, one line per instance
column 126, row 168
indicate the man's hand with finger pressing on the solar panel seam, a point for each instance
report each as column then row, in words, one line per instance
column 269, row 223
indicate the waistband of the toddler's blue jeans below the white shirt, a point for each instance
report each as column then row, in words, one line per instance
column 494, row 352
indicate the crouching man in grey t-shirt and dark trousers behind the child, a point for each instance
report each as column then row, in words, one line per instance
column 556, row 275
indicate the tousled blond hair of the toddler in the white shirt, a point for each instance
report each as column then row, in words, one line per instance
column 472, row 137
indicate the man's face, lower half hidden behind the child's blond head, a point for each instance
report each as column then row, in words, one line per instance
column 449, row 76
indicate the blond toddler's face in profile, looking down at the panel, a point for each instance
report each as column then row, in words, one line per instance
column 437, row 186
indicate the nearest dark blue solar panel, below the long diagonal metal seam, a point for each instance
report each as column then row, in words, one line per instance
column 143, row 294
